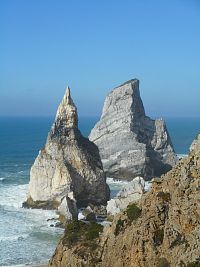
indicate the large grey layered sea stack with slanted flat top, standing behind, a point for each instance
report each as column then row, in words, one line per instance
column 130, row 143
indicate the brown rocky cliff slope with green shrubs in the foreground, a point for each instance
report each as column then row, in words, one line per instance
column 162, row 230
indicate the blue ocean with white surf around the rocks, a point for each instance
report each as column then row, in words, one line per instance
column 26, row 236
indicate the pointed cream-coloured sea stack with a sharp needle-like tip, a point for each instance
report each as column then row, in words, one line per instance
column 68, row 165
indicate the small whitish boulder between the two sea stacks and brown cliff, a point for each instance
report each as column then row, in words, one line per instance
column 130, row 193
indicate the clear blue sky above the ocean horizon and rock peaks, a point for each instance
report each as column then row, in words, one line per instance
column 93, row 46
